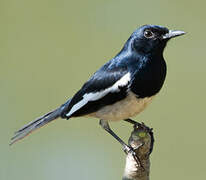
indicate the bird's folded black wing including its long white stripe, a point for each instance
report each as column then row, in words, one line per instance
column 100, row 90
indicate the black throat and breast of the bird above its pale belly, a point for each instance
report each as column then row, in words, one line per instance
column 149, row 79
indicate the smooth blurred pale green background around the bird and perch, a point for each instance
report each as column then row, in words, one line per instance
column 48, row 48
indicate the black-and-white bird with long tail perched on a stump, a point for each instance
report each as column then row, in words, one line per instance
column 121, row 88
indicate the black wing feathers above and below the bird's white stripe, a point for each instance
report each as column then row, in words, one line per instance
column 104, row 78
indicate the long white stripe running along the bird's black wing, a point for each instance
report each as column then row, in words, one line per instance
column 98, row 95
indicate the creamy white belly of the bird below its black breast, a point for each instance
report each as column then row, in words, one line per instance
column 126, row 108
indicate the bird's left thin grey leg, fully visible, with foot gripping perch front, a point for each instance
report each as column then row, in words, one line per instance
column 127, row 149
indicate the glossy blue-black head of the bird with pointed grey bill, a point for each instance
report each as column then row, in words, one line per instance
column 151, row 39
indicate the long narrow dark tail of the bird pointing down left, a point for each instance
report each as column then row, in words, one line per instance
column 36, row 124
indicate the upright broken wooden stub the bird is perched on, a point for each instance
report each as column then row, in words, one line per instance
column 141, row 140
